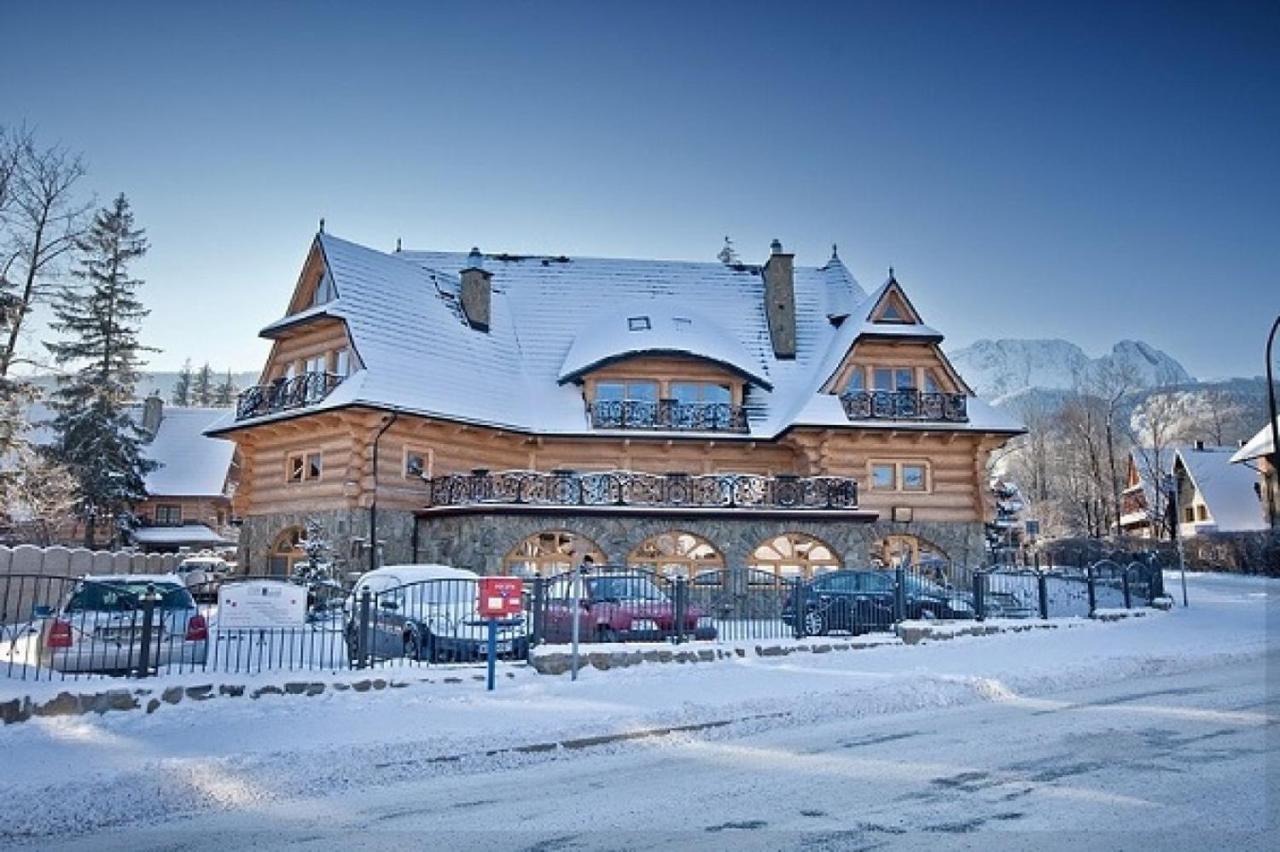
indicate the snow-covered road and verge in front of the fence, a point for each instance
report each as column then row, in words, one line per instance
column 340, row 767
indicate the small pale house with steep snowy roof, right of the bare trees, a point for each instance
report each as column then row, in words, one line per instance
column 1215, row 496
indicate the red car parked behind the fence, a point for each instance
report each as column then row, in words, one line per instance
column 629, row 607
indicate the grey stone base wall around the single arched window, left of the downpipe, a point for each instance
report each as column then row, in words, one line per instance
column 344, row 528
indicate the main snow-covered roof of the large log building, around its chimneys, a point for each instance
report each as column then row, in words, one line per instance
column 419, row 354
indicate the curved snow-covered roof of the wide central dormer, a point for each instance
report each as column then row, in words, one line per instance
column 659, row 327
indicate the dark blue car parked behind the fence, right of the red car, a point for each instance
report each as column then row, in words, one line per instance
column 863, row 601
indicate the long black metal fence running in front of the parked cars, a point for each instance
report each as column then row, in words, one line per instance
column 71, row 627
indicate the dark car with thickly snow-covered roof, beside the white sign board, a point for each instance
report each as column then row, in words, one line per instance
column 426, row 613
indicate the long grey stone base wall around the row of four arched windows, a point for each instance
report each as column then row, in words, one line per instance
column 481, row 542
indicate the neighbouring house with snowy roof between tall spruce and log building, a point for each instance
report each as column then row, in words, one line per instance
column 190, row 496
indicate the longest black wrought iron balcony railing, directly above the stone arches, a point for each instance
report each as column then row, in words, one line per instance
column 634, row 489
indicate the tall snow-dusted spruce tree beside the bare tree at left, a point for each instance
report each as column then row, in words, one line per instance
column 97, row 438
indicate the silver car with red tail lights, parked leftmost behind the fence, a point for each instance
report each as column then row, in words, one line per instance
column 99, row 626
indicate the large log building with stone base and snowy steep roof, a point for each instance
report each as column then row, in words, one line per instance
column 519, row 413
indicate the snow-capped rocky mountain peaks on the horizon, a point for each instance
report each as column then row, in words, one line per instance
column 998, row 369
